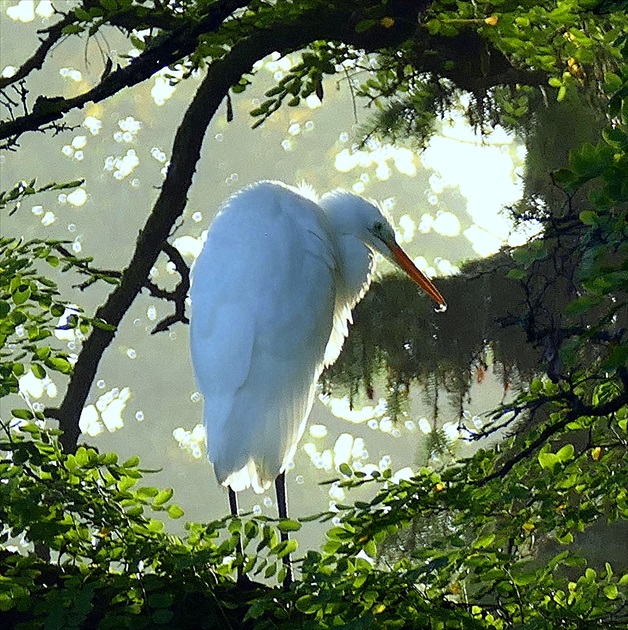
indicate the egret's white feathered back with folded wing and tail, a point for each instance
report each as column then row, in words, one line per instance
column 262, row 314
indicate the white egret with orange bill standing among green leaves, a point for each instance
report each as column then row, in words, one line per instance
column 272, row 294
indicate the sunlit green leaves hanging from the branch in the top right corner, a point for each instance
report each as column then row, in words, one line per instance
column 563, row 45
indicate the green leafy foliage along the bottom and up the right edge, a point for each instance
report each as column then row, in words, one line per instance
column 470, row 546
